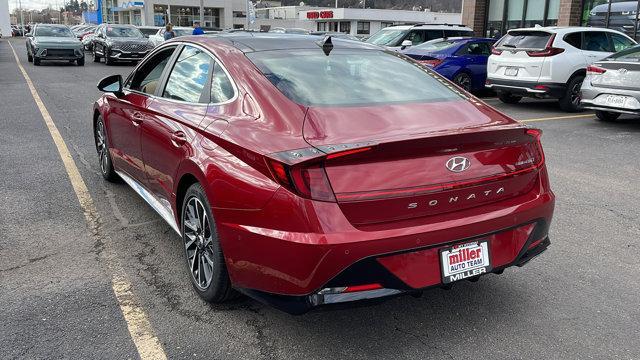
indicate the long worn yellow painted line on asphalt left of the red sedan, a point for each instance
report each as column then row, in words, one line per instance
column 140, row 329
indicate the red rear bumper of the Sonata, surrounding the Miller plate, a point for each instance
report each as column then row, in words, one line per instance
column 296, row 270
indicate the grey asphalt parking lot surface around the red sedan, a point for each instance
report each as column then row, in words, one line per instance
column 579, row 300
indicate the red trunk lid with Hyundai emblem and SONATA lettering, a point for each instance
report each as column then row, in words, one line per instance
column 421, row 159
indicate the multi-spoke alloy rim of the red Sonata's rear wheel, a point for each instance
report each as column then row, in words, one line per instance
column 198, row 242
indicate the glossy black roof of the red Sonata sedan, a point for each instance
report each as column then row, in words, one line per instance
column 252, row 42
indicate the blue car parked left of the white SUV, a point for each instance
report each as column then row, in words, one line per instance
column 461, row 60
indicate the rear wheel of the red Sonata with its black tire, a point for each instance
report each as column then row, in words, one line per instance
column 202, row 245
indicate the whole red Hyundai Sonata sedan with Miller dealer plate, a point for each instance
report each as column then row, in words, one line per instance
column 304, row 171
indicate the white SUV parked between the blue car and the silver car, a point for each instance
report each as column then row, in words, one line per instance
column 549, row 62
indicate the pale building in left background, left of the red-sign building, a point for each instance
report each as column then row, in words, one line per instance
column 215, row 13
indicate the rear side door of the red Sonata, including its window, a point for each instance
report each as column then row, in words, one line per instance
column 175, row 115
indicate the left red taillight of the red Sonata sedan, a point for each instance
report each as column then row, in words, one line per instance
column 308, row 181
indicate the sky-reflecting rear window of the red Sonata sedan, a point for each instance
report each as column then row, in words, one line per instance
column 349, row 77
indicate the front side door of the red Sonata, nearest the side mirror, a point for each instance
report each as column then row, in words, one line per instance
column 130, row 111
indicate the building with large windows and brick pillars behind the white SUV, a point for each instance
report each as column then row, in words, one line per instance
column 495, row 17
